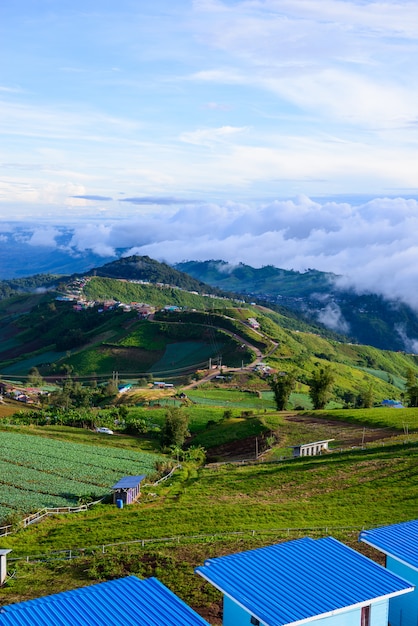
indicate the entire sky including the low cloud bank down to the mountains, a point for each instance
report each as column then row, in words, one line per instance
column 263, row 131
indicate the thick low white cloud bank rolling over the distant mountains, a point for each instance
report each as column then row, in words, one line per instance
column 372, row 245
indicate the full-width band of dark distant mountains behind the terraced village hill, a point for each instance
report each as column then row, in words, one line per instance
column 313, row 296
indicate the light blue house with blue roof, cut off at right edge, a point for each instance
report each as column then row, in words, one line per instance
column 399, row 542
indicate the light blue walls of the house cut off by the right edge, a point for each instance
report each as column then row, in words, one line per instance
column 403, row 610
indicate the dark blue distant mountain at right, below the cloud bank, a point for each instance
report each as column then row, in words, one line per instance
column 366, row 319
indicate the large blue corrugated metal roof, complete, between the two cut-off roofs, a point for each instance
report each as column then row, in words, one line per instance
column 298, row 581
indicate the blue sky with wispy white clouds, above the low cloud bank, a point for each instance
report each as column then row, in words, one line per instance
column 206, row 100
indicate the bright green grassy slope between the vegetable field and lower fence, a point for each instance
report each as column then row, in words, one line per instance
column 357, row 489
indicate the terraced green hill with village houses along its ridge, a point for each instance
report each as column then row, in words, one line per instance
column 96, row 325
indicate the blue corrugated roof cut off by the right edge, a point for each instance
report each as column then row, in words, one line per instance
column 398, row 540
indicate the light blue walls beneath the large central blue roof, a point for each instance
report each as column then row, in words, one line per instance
column 234, row 615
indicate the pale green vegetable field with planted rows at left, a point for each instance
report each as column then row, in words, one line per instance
column 37, row 472
